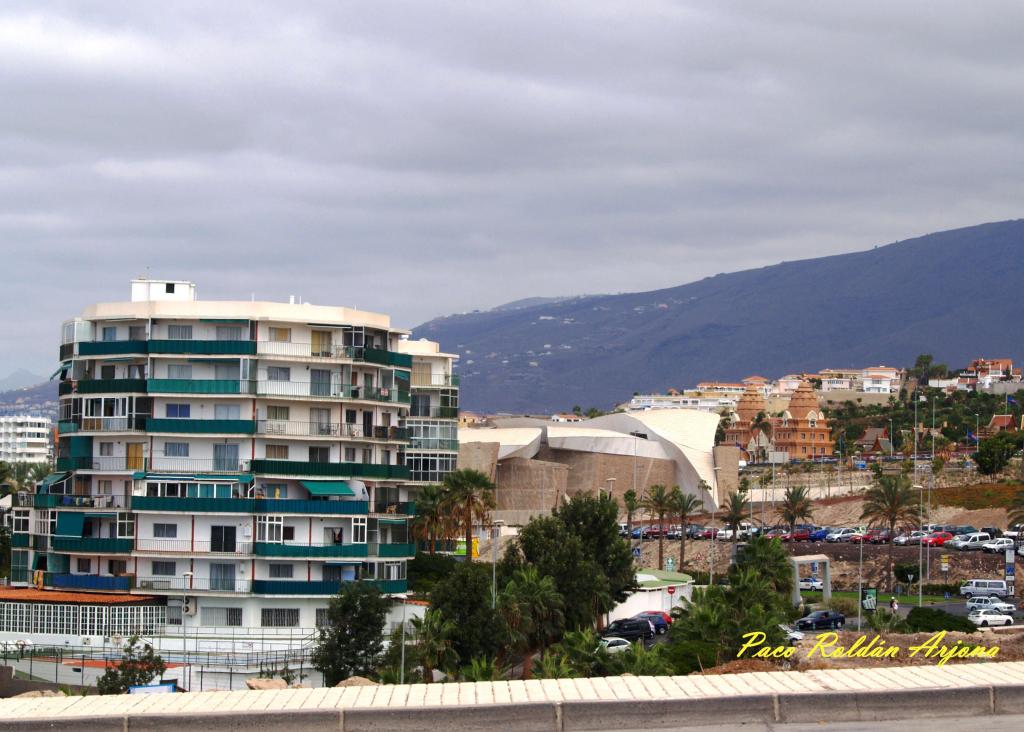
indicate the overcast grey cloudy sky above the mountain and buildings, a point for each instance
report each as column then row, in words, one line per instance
column 425, row 158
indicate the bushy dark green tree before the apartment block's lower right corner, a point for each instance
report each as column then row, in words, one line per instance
column 351, row 642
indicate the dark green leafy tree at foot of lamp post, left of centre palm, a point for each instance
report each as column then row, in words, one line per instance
column 464, row 597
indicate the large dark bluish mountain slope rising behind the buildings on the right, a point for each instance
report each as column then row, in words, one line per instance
column 956, row 294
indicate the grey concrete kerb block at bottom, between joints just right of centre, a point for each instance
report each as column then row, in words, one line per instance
column 662, row 714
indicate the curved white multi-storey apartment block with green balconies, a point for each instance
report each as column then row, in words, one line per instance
column 236, row 462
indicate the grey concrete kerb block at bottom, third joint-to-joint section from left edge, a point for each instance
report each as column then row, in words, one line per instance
column 528, row 717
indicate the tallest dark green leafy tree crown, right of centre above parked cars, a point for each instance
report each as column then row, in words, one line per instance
column 595, row 522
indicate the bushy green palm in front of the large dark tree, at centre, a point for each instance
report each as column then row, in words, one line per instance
column 532, row 608
